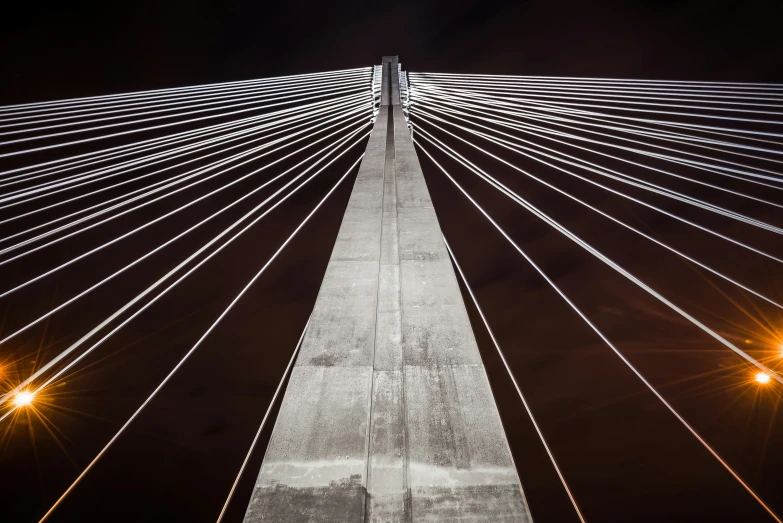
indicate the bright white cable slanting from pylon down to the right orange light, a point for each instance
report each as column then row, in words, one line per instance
column 595, row 252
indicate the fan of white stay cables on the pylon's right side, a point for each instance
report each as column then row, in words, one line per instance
column 696, row 155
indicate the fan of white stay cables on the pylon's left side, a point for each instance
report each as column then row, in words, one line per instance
column 210, row 161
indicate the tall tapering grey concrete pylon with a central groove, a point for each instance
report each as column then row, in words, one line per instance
column 388, row 416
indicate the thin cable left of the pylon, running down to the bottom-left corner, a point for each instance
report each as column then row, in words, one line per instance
column 195, row 346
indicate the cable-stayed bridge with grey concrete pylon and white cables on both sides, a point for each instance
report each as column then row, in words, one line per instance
column 385, row 409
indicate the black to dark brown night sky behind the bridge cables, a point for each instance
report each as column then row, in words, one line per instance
column 626, row 458
